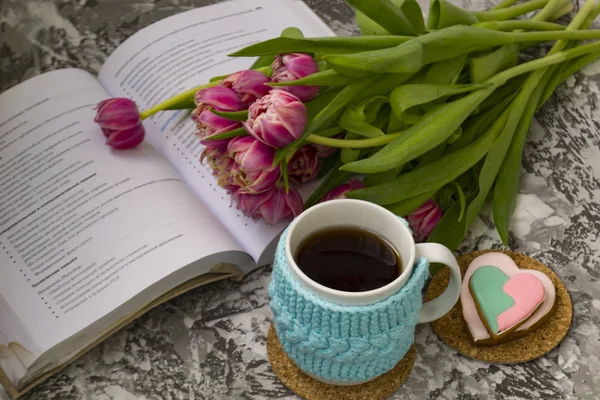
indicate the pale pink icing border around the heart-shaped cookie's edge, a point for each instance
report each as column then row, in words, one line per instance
column 507, row 265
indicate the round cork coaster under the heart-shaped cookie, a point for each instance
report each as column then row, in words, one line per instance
column 452, row 328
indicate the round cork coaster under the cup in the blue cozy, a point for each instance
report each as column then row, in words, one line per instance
column 311, row 389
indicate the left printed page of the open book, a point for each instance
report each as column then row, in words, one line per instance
column 84, row 228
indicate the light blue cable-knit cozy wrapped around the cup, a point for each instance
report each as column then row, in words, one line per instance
column 343, row 343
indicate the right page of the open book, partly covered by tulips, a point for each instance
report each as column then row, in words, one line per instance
column 184, row 51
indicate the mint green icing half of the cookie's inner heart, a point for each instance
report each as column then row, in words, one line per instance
column 486, row 284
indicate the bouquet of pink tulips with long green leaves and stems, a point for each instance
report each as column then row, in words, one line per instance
column 426, row 119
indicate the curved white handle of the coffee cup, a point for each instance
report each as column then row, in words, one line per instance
column 439, row 306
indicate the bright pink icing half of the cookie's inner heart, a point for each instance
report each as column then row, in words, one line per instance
column 528, row 293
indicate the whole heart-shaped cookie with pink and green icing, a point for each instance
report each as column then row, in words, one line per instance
column 502, row 302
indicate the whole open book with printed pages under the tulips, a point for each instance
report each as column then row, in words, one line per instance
column 91, row 238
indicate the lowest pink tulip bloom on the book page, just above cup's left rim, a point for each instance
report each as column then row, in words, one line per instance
column 273, row 205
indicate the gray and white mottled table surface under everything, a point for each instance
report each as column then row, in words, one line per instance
column 210, row 343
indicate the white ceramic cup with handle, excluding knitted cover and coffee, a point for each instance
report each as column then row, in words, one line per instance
column 366, row 215
